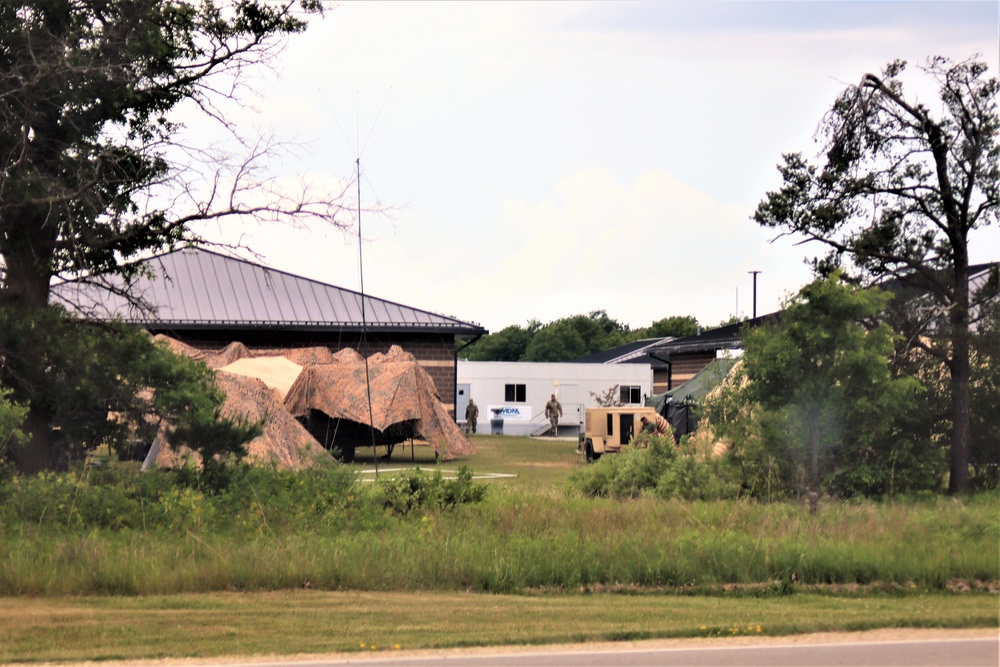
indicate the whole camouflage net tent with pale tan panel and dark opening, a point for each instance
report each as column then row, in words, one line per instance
column 328, row 392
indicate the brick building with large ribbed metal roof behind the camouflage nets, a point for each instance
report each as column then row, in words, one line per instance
column 208, row 300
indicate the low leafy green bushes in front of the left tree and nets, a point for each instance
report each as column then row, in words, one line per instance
column 256, row 500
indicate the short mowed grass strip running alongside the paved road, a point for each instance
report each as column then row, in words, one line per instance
column 315, row 622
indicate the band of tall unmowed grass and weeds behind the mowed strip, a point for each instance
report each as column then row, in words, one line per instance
column 64, row 534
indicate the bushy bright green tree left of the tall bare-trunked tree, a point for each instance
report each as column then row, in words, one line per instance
column 822, row 387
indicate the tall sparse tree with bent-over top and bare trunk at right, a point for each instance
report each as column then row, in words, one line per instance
column 897, row 192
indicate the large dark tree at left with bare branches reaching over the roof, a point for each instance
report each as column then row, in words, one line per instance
column 89, row 152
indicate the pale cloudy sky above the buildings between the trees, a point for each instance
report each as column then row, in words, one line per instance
column 533, row 160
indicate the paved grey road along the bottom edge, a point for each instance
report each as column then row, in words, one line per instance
column 912, row 653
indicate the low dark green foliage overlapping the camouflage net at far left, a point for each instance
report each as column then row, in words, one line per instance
column 91, row 370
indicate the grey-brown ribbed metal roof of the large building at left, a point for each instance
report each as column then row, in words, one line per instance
column 194, row 288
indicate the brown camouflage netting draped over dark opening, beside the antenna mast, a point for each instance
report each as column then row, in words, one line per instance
column 401, row 391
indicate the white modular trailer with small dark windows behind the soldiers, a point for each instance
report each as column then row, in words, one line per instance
column 517, row 391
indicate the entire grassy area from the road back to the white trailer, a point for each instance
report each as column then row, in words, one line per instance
column 529, row 565
